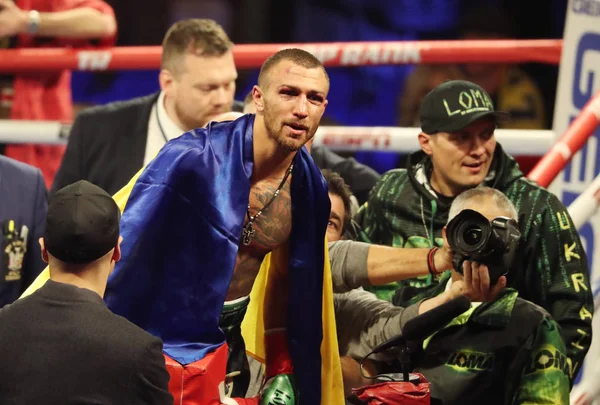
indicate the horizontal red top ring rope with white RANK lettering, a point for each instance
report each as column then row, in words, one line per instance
column 332, row 54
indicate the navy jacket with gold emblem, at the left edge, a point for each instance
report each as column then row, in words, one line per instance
column 23, row 200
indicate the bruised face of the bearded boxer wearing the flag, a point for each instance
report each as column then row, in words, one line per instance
column 293, row 103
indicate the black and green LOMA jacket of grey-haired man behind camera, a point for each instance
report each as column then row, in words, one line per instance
column 506, row 352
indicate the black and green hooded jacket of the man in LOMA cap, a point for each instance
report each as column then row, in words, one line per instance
column 550, row 268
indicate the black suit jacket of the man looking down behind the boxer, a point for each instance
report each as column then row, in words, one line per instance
column 107, row 144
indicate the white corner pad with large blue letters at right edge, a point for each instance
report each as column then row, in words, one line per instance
column 579, row 79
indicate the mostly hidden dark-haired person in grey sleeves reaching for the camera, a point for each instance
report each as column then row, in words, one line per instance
column 362, row 320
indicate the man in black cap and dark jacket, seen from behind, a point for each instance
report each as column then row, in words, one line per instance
column 61, row 344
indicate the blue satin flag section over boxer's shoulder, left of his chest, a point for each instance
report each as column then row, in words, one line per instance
column 181, row 228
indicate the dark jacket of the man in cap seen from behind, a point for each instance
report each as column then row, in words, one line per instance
column 62, row 345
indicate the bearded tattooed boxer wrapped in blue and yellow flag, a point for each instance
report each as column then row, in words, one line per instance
column 200, row 219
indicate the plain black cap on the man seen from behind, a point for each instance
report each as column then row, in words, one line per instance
column 82, row 223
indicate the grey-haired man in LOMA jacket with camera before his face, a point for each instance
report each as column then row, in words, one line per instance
column 501, row 351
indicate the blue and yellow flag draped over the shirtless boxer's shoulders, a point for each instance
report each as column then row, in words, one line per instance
column 181, row 228
